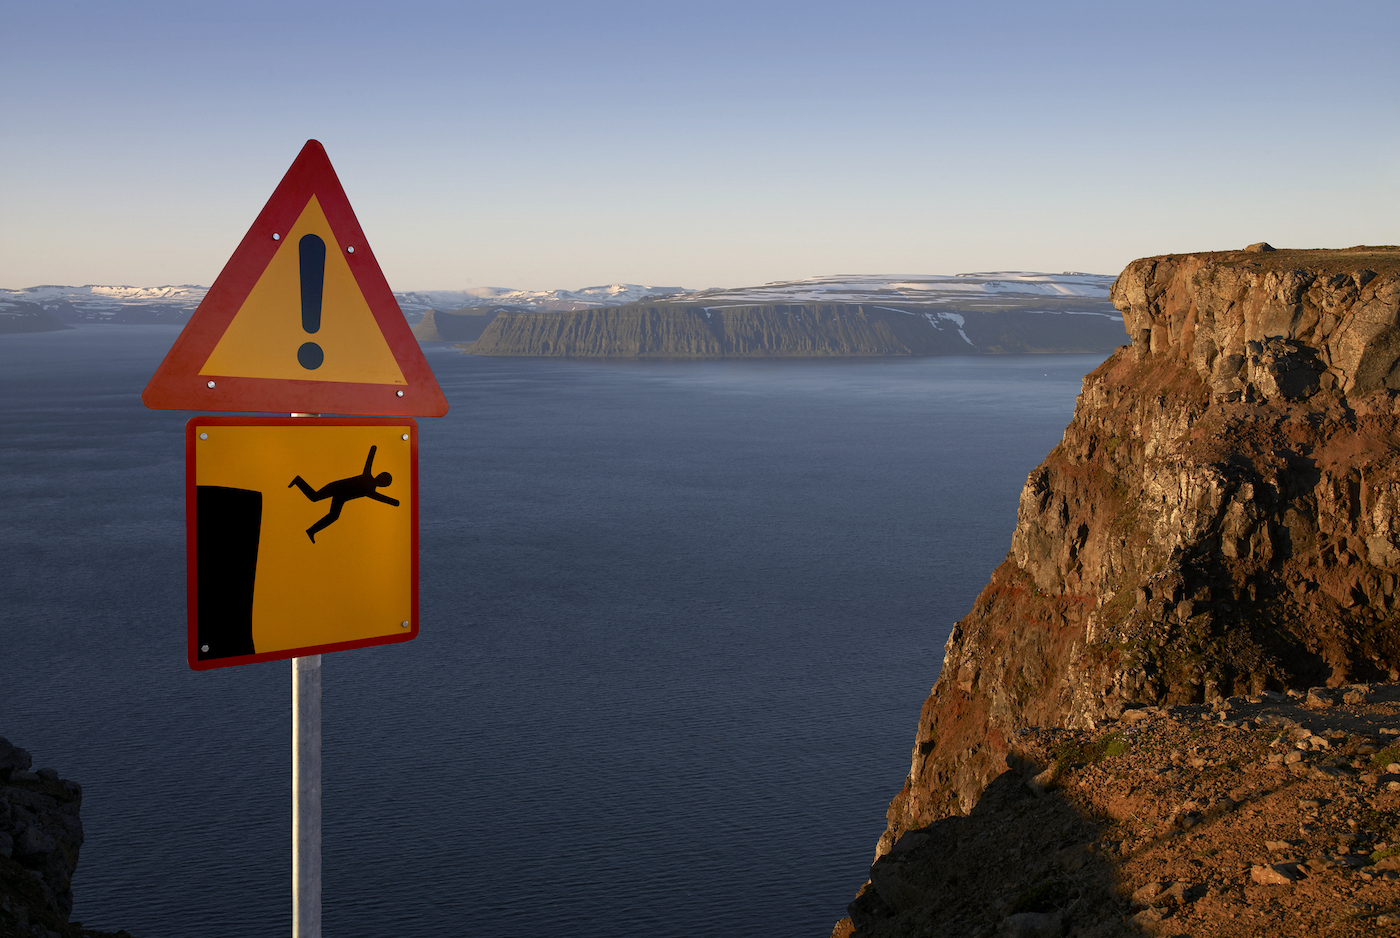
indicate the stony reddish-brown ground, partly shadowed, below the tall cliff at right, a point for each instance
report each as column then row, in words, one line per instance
column 1276, row 815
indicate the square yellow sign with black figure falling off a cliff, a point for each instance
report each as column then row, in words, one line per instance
column 303, row 537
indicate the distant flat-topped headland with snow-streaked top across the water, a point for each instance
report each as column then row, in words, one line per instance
column 822, row 317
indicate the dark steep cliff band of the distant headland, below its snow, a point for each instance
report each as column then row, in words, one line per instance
column 801, row 331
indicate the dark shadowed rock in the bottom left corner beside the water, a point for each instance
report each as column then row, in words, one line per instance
column 41, row 835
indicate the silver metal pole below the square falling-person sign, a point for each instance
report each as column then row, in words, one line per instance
column 306, row 797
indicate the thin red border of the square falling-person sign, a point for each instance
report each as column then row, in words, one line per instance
column 192, row 429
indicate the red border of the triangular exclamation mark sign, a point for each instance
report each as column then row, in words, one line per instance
column 177, row 384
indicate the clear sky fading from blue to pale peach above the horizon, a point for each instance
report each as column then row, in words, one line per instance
column 545, row 145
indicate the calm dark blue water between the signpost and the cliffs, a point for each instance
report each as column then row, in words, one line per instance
column 678, row 622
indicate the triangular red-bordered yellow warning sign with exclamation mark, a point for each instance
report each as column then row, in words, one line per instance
column 300, row 320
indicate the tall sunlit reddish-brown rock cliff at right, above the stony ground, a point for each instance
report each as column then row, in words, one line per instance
column 1220, row 517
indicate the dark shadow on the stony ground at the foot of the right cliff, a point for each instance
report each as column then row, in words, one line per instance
column 1018, row 864
